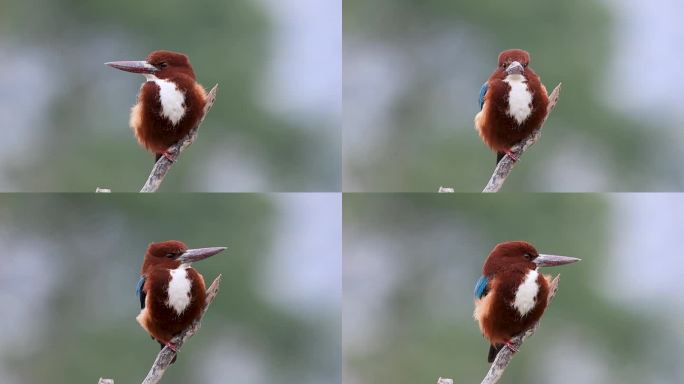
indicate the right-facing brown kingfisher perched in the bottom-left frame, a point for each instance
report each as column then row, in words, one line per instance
column 172, row 294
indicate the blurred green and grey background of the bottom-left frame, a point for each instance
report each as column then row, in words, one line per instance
column 70, row 265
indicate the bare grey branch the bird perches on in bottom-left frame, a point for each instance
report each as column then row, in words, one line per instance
column 163, row 360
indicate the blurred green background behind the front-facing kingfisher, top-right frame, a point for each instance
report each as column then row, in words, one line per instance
column 413, row 70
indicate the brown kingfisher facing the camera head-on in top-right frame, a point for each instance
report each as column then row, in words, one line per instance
column 513, row 103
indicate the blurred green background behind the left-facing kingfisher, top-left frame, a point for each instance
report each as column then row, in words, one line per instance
column 275, row 125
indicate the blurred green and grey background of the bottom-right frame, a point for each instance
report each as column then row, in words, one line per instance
column 411, row 262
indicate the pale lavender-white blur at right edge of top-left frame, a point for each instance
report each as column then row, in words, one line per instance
column 305, row 74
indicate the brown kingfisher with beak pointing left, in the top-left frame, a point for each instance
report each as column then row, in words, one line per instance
column 170, row 101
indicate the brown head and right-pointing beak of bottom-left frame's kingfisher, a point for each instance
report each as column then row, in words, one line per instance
column 171, row 254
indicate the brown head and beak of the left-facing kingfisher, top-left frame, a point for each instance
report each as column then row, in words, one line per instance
column 160, row 64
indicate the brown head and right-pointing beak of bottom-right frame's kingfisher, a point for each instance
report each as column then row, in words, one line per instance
column 522, row 256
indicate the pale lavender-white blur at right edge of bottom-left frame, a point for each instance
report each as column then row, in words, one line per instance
column 304, row 275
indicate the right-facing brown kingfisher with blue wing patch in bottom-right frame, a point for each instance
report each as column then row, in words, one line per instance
column 511, row 295
